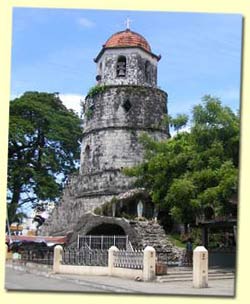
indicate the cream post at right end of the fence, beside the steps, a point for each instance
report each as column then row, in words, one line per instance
column 149, row 259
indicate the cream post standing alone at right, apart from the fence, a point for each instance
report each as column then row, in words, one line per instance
column 200, row 267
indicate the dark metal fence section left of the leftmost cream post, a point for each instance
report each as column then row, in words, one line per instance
column 41, row 256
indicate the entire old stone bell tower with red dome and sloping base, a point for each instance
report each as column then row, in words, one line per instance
column 124, row 104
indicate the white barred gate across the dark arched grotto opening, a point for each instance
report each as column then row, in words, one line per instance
column 103, row 241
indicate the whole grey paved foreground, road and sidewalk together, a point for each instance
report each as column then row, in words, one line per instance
column 22, row 280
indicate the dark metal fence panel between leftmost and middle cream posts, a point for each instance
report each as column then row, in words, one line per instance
column 85, row 256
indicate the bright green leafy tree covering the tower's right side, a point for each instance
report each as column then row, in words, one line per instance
column 193, row 169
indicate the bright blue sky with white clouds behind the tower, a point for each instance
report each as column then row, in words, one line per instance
column 53, row 51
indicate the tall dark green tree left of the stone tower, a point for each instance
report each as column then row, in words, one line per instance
column 44, row 149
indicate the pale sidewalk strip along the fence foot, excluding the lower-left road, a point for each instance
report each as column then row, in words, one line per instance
column 220, row 287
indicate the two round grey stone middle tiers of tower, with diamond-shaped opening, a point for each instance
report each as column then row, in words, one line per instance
column 110, row 137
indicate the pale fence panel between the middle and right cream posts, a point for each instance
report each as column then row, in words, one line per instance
column 128, row 259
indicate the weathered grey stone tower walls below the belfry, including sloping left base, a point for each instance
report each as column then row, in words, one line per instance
column 110, row 143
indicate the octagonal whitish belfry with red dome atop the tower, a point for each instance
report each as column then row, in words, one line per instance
column 126, row 59
